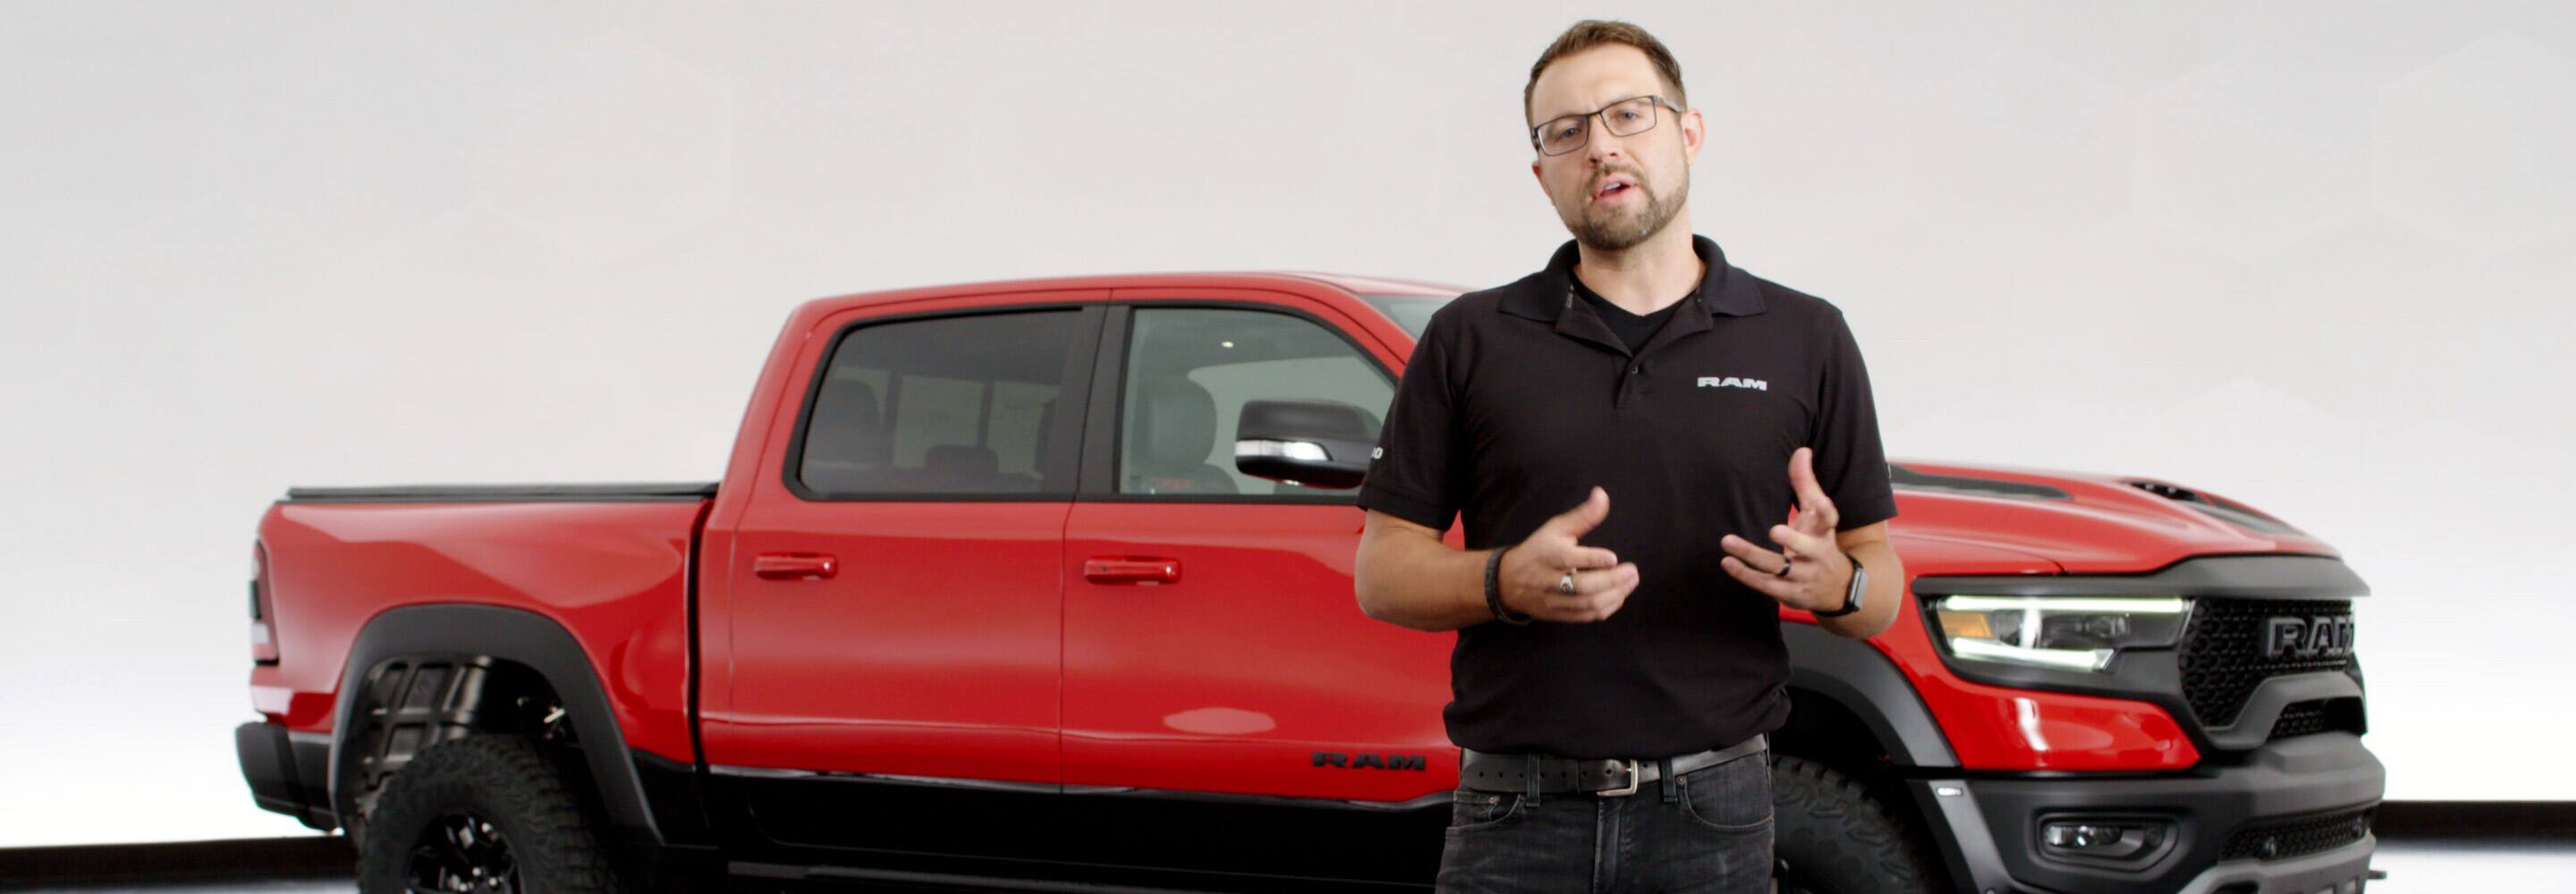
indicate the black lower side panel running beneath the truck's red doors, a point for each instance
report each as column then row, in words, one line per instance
column 1073, row 836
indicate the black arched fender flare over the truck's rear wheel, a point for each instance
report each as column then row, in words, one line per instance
column 514, row 635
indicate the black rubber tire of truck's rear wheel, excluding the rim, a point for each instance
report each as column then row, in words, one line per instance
column 550, row 839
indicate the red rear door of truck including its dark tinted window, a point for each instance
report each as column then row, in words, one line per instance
column 893, row 658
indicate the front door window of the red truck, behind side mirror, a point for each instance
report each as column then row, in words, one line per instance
column 1189, row 375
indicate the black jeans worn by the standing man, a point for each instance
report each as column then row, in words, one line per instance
column 1714, row 836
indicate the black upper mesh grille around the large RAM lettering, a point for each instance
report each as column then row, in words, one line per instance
column 2222, row 653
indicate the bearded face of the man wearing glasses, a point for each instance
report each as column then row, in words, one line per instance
column 1614, row 192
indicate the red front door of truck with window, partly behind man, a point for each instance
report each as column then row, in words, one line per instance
column 1215, row 653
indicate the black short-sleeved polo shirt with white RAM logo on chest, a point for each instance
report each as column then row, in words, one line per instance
column 1519, row 401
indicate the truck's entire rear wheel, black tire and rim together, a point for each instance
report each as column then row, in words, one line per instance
column 486, row 815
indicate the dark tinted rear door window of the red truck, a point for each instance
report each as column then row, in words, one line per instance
column 949, row 406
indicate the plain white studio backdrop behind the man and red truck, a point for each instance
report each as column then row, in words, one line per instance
column 2312, row 256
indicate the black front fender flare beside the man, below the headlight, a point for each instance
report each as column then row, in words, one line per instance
column 1866, row 684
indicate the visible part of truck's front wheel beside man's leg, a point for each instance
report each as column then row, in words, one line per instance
column 1835, row 839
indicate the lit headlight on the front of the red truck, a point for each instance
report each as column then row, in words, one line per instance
column 2065, row 632
